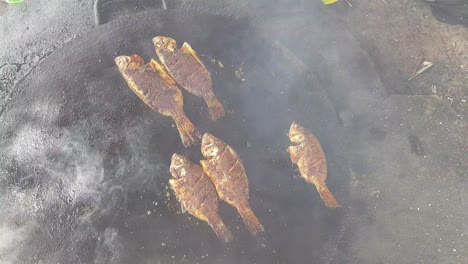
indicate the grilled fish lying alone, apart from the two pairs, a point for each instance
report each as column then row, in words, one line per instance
column 307, row 153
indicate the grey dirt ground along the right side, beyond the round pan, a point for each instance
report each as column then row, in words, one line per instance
column 428, row 197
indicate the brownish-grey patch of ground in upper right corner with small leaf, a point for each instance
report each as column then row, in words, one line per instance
column 401, row 33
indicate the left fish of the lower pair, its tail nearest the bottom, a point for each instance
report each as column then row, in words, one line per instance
column 197, row 194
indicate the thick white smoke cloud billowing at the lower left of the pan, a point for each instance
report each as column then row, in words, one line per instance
column 55, row 185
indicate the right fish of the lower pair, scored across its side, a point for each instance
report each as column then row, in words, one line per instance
column 227, row 172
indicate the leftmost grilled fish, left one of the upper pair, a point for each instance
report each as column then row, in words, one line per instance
column 151, row 83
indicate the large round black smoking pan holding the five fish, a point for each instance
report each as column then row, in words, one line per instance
column 84, row 166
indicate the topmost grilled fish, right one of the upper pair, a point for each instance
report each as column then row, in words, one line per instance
column 188, row 70
